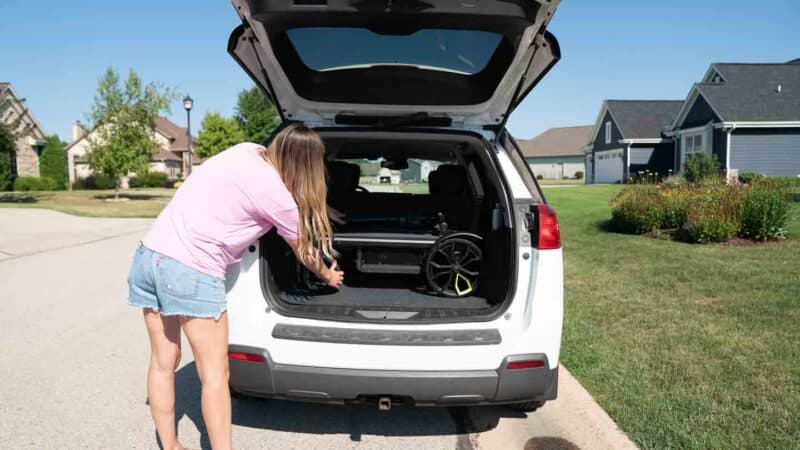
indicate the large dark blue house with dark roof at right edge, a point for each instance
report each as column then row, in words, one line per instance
column 748, row 115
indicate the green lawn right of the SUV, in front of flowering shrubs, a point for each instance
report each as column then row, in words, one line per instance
column 686, row 346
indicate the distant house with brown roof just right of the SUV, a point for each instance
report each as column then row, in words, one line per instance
column 558, row 152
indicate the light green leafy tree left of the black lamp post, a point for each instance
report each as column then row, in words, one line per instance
column 124, row 118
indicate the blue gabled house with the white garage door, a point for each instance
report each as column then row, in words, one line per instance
column 627, row 139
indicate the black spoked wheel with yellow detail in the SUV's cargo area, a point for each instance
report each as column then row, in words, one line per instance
column 453, row 266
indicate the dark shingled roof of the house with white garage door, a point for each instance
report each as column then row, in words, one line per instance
column 643, row 119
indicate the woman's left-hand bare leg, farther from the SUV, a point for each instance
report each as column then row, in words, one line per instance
column 165, row 356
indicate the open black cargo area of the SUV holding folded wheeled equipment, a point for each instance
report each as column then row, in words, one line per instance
column 427, row 234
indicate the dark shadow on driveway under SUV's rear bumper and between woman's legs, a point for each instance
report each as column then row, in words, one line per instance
column 298, row 417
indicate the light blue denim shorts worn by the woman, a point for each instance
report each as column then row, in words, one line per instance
column 172, row 288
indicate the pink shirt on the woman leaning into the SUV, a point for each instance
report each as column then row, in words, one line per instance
column 227, row 203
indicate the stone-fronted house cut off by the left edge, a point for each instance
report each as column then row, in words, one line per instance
column 29, row 136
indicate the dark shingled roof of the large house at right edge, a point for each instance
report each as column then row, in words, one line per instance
column 749, row 93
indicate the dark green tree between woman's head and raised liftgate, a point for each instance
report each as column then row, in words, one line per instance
column 256, row 115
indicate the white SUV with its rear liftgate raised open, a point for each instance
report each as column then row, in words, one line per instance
column 453, row 267
